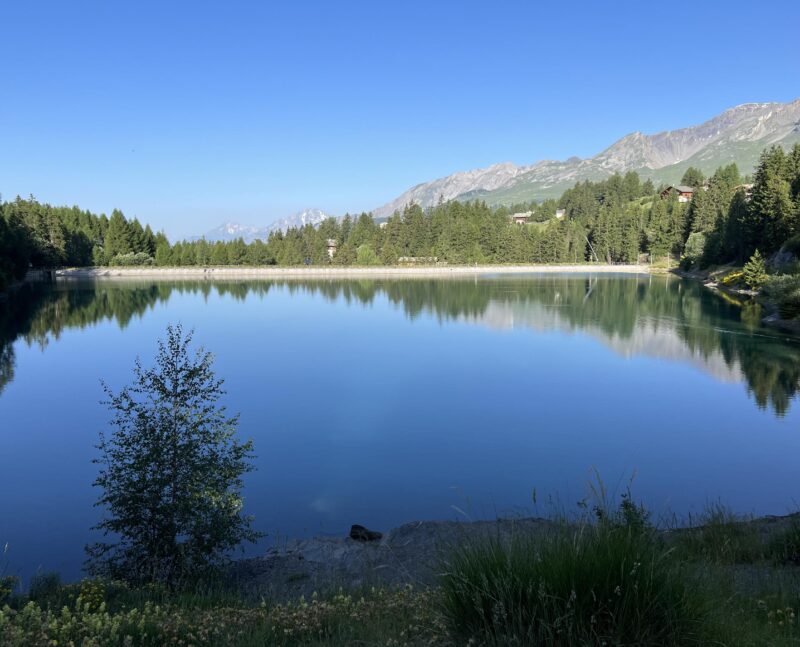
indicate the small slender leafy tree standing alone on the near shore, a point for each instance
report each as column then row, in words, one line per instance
column 170, row 472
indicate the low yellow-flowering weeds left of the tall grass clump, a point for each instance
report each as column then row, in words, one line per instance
column 404, row 617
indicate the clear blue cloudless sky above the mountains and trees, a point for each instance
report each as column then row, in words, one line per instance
column 187, row 114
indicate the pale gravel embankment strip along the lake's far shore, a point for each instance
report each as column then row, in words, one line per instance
column 340, row 272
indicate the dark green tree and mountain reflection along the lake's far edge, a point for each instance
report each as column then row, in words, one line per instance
column 658, row 316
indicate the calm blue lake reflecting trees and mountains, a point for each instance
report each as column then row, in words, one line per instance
column 385, row 401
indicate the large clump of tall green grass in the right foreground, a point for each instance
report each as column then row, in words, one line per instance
column 609, row 582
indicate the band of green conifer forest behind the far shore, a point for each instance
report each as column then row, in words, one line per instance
column 617, row 220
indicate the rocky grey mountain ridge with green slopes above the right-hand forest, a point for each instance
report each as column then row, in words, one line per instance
column 737, row 135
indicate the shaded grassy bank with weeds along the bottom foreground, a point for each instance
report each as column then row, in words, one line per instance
column 609, row 577
